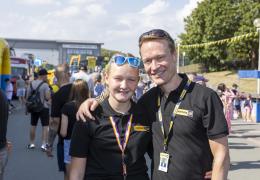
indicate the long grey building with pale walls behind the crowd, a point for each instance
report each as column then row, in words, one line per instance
column 55, row 51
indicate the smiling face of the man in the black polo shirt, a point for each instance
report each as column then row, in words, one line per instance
column 159, row 62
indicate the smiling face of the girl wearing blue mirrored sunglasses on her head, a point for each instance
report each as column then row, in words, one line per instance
column 122, row 82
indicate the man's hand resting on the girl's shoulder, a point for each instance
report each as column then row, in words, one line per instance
column 85, row 109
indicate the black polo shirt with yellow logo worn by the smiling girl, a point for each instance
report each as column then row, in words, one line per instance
column 96, row 141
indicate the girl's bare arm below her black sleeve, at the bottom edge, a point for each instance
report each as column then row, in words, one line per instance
column 77, row 170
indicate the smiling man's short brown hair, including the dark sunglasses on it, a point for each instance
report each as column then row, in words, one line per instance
column 157, row 34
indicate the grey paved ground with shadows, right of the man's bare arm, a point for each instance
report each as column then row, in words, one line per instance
column 244, row 144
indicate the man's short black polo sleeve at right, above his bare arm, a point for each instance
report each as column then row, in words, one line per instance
column 214, row 119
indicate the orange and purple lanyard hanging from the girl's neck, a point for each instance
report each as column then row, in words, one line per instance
column 122, row 144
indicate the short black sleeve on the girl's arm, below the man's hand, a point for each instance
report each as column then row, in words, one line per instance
column 80, row 139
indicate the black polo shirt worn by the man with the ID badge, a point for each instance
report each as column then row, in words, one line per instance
column 190, row 154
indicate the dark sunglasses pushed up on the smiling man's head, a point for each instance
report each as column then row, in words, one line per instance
column 156, row 33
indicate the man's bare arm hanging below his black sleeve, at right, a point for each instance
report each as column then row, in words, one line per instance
column 221, row 162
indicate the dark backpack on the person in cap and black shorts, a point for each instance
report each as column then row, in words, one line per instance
column 34, row 103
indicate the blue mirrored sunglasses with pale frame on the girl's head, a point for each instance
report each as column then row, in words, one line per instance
column 120, row 60
